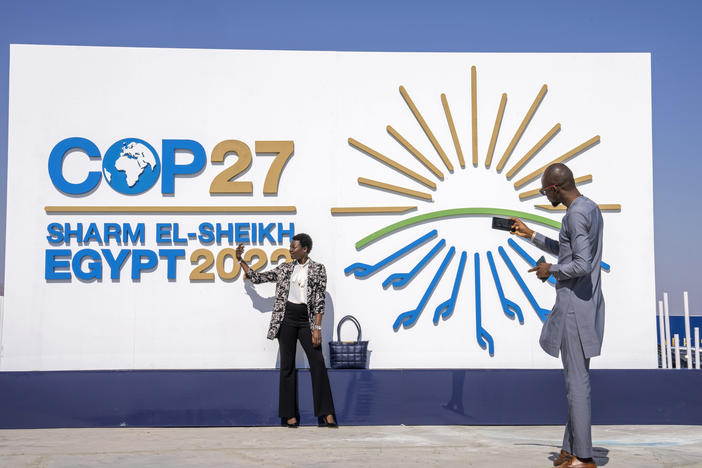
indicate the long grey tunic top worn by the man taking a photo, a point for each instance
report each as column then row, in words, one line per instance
column 579, row 250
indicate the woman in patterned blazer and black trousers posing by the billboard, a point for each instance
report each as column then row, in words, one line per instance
column 297, row 315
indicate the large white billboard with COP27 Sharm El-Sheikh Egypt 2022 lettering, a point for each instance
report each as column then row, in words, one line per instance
column 134, row 172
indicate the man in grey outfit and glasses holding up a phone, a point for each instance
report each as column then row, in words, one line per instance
column 575, row 326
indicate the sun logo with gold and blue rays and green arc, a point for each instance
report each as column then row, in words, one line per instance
column 431, row 239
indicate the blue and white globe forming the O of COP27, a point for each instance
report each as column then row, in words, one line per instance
column 131, row 166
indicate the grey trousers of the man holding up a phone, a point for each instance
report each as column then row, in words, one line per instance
column 576, row 370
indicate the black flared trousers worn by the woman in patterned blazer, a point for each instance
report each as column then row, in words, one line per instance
column 296, row 326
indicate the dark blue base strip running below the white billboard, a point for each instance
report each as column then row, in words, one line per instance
column 362, row 397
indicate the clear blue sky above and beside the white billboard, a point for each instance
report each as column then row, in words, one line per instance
column 669, row 30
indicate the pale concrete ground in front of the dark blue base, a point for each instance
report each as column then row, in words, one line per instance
column 367, row 447
